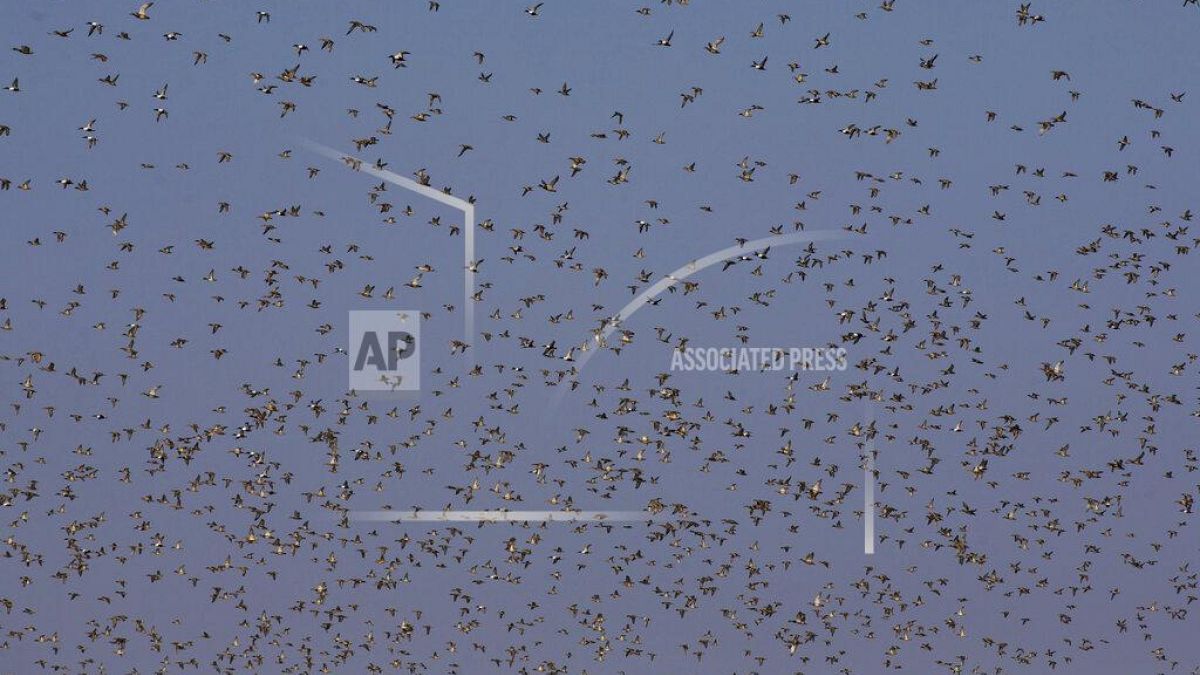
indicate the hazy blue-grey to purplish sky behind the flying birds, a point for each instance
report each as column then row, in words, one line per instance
column 605, row 53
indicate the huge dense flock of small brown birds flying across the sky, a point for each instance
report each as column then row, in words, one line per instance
column 161, row 522
